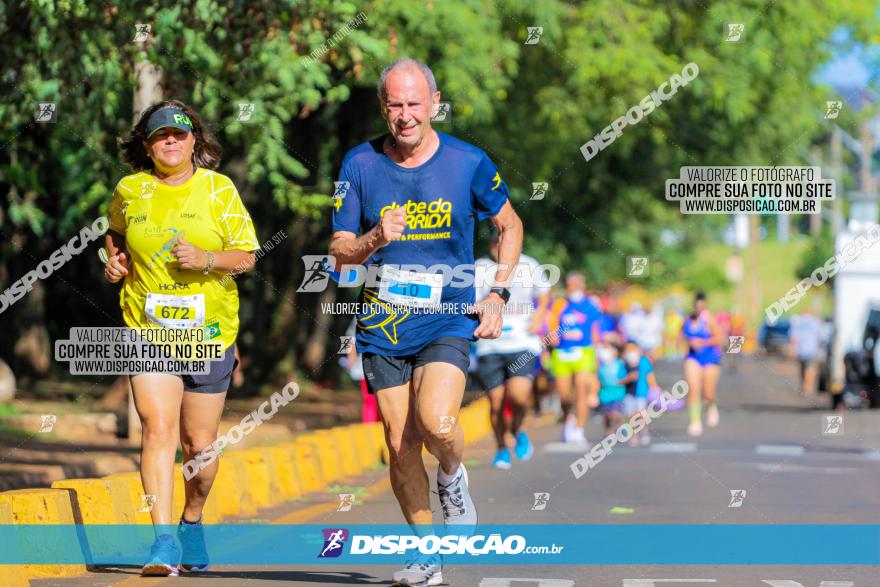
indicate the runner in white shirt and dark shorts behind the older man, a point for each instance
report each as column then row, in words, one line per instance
column 507, row 363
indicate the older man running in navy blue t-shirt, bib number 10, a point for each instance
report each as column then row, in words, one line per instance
column 414, row 196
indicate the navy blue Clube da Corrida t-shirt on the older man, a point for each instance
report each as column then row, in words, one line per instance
column 445, row 197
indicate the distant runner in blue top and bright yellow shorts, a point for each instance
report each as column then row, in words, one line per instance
column 575, row 324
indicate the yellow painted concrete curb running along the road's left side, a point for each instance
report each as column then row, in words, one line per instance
column 248, row 481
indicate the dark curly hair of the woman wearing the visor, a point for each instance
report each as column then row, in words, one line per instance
column 206, row 152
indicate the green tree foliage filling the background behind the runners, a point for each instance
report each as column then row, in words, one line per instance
column 530, row 107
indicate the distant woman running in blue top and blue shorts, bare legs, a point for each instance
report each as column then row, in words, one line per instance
column 702, row 365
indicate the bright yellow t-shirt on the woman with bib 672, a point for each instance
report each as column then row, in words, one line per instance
column 207, row 210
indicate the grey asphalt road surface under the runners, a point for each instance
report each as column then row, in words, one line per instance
column 771, row 443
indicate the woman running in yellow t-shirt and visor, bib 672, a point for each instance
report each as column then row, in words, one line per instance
column 176, row 229
